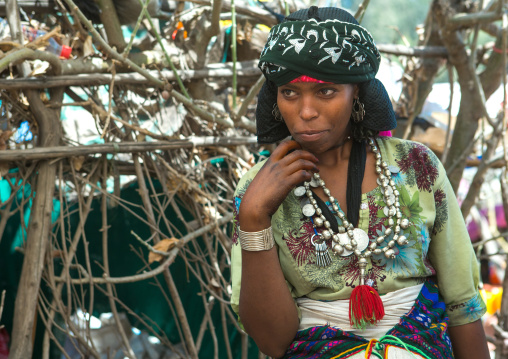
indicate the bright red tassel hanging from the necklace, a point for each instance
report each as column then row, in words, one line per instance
column 365, row 307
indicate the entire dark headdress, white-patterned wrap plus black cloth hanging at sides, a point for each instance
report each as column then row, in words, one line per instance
column 327, row 44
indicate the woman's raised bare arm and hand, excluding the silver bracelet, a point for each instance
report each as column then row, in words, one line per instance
column 266, row 307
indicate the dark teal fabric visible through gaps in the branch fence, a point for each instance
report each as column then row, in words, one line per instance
column 144, row 298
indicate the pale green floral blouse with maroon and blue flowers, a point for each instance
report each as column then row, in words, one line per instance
column 439, row 244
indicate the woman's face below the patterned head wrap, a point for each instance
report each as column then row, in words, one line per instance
column 316, row 114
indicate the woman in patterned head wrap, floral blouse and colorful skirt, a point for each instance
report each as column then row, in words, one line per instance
column 347, row 244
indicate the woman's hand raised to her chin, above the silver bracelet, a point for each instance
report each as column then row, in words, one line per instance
column 279, row 175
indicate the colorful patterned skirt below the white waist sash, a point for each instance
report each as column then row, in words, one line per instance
column 422, row 331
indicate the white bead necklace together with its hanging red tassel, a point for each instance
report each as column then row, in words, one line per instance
column 350, row 240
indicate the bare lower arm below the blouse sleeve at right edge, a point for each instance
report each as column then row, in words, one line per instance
column 468, row 341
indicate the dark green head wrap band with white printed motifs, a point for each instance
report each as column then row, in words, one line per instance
column 330, row 50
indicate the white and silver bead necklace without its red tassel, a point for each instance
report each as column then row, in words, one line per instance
column 351, row 240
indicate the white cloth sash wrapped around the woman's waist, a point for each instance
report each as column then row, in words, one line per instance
column 336, row 313
